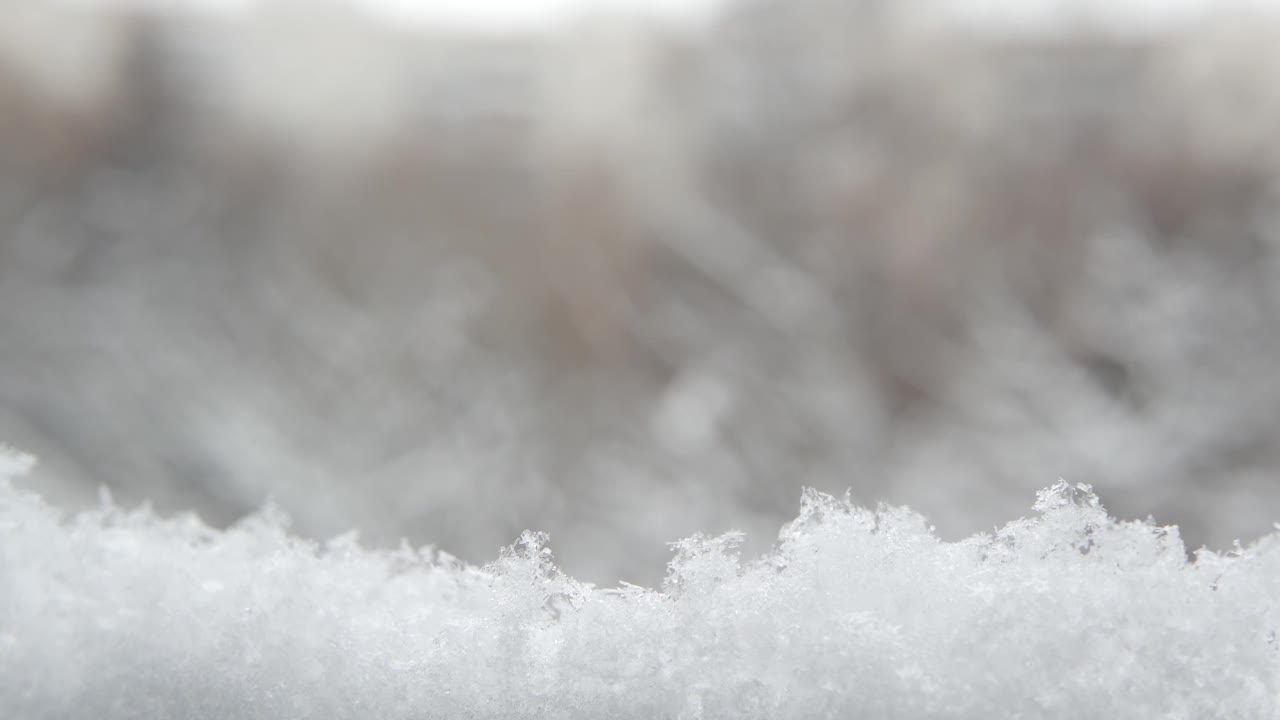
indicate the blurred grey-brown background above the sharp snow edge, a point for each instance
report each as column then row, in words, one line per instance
column 625, row 272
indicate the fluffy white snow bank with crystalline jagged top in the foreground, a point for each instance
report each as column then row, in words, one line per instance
column 854, row 614
